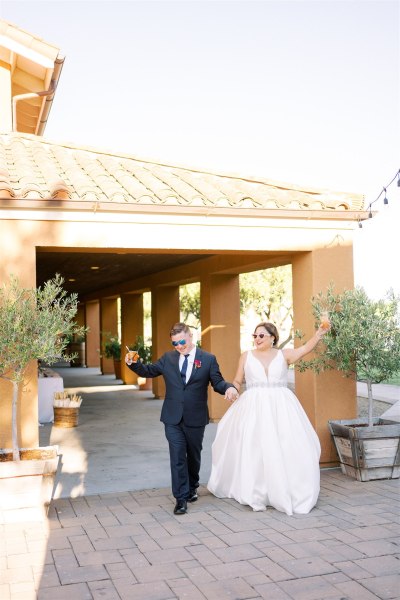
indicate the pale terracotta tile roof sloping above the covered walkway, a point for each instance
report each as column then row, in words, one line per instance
column 31, row 167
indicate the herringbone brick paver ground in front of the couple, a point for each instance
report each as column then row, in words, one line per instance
column 129, row 546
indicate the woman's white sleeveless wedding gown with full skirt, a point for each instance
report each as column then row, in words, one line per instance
column 266, row 452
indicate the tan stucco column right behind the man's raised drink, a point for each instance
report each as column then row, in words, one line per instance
column 131, row 326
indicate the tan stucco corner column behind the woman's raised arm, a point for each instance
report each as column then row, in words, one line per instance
column 329, row 395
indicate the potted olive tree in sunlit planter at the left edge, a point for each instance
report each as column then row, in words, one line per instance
column 35, row 325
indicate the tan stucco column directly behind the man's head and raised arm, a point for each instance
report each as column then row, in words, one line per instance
column 164, row 313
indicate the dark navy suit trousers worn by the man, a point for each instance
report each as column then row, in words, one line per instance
column 185, row 446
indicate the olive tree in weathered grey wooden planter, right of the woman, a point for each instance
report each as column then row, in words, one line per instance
column 364, row 344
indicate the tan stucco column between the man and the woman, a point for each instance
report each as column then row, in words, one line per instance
column 220, row 323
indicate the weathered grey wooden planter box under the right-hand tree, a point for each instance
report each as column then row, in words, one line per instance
column 367, row 454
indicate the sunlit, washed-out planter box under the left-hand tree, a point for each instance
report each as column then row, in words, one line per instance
column 28, row 483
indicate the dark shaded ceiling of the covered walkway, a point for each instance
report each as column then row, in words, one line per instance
column 88, row 272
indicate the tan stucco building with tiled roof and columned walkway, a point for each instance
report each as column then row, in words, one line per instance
column 116, row 226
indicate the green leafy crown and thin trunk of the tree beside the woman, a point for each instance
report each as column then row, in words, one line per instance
column 364, row 339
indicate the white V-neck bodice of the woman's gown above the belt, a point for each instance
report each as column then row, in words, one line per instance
column 256, row 376
